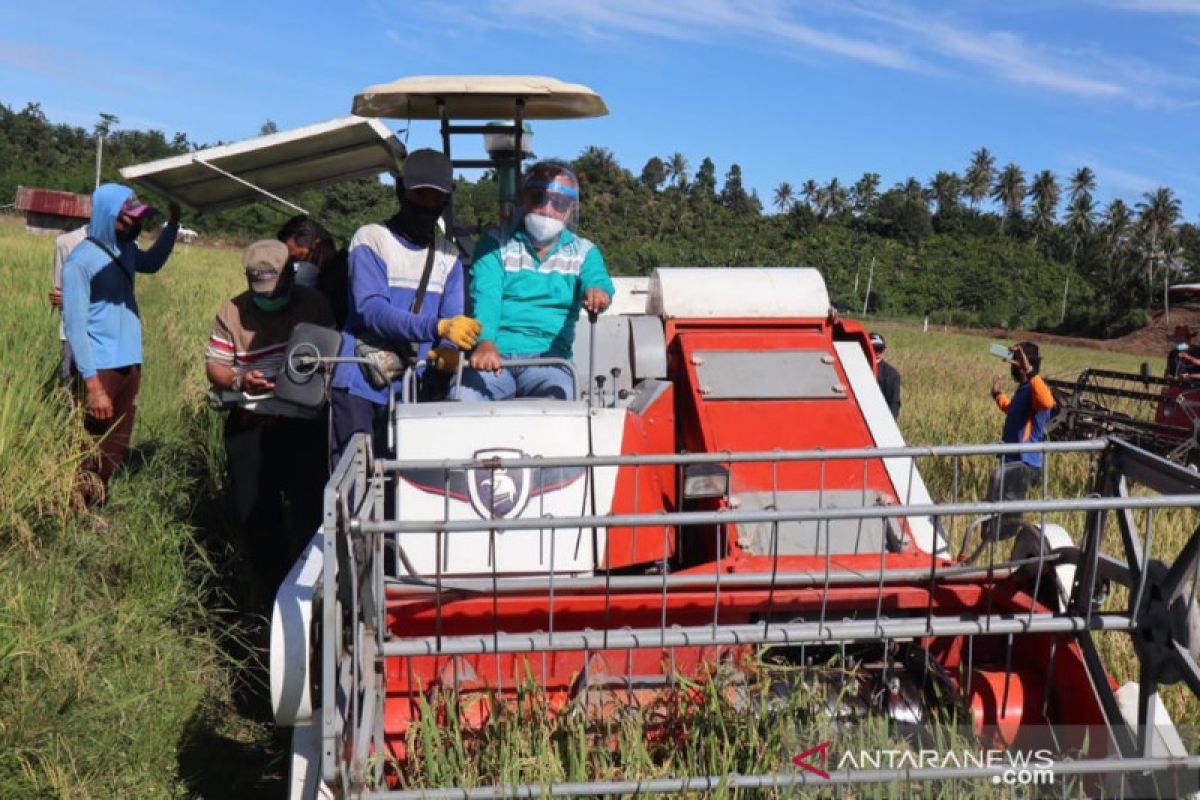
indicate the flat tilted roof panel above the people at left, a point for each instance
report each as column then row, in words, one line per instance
column 289, row 161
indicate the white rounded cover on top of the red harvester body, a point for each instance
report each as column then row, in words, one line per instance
column 727, row 293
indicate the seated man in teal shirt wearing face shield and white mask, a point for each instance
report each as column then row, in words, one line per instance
column 527, row 290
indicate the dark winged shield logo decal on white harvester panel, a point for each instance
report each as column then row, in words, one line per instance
column 497, row 492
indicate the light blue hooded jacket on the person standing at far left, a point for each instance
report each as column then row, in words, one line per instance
column 100, row 312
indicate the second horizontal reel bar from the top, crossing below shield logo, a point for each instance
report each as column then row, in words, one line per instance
column 685, row 519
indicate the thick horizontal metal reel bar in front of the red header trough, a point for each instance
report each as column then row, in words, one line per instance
column 766, row 634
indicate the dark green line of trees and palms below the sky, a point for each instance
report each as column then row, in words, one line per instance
column 989, row 245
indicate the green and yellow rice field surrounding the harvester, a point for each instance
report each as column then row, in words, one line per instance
column 128, row 663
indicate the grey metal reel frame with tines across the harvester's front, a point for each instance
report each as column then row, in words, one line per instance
column 358, row 588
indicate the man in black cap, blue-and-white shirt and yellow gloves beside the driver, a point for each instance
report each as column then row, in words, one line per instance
column 406, row 297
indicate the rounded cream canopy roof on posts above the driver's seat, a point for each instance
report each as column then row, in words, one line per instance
column 479, row 98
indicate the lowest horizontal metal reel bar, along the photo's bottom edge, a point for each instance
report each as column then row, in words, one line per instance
column 797, row 780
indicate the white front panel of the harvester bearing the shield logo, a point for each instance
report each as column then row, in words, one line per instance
column 507, row 430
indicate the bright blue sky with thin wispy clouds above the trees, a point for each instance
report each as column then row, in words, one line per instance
column 789, row 91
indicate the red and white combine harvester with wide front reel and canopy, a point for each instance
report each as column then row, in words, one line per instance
column 730, row 483
